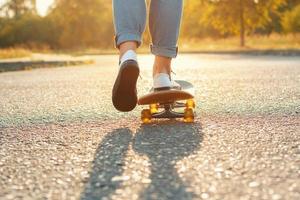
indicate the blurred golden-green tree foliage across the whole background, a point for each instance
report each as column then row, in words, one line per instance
column 73, row 24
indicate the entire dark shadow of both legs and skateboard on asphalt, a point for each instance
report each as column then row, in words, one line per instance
column 164, row 144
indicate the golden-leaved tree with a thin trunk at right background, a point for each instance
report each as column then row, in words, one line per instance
column 239, row 17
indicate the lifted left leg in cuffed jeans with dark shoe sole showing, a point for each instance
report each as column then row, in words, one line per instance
column 129, row 21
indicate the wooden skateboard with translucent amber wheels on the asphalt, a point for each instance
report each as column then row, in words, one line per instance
column 165, row 103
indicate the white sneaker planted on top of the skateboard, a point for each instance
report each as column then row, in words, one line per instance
column 163, row 81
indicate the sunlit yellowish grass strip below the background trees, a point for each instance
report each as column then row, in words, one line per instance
column 272, row 43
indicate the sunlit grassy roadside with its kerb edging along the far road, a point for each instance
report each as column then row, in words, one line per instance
column 16, row 59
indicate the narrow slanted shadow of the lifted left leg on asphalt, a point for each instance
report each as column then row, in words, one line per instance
column 108, row 163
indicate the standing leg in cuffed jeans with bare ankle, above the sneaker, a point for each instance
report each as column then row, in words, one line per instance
column 164, row 22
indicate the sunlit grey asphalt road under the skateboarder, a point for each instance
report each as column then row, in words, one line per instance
column 60, row 137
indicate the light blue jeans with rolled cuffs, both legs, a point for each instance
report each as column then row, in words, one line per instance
column 164, row 23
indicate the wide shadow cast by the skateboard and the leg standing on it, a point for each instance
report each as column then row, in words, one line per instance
column 165, row 144
